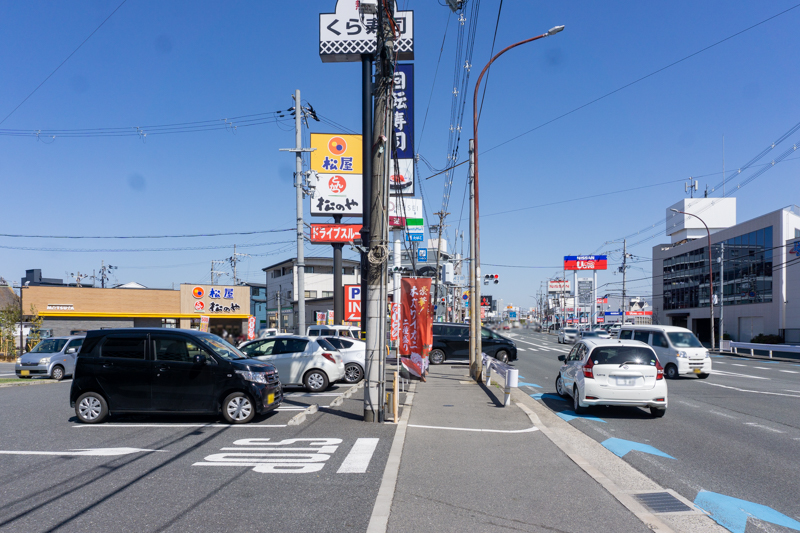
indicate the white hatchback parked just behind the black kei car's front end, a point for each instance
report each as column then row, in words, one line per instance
column 311, row 362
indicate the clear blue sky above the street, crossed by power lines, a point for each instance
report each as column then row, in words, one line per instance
column 158, row 63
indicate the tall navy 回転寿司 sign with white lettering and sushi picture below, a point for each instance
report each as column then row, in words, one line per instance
column 402, row 176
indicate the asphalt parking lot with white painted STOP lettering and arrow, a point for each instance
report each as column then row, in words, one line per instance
column 177, row 474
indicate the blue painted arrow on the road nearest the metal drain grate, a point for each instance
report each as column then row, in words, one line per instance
column 731, row 513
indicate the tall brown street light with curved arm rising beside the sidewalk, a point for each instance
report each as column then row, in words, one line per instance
column 475, row 347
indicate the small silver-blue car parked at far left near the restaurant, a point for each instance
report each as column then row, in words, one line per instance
column 50, row 358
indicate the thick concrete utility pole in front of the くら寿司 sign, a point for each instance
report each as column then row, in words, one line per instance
column 377, row 256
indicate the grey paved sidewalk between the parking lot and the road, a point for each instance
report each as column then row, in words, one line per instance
column 469, row 464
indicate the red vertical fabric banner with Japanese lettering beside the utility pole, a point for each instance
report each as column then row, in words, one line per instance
column 416, row 336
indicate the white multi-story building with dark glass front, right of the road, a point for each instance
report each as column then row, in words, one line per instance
column 751, row 264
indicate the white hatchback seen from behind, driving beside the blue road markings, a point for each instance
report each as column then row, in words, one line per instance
column 613, row 372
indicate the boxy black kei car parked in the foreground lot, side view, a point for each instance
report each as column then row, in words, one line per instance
column 155, row 370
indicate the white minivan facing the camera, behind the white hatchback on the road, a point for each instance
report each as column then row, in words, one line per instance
column 678, row 350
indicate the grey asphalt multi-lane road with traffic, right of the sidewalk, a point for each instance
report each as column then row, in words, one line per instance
column 737, row 433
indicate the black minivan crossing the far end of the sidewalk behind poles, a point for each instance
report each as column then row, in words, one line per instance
column 451, row 341
